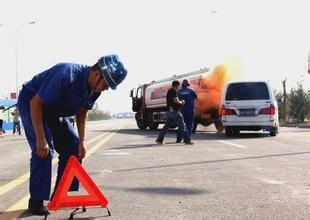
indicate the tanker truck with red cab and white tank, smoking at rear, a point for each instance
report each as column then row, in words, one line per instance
column 149, row 100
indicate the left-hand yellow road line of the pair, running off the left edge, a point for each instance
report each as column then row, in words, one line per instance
column 23, row 178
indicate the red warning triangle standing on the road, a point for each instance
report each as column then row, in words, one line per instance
column 61, row 198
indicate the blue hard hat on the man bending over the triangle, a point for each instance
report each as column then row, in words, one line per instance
column 112, row 70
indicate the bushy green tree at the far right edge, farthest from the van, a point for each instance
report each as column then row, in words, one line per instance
column 299, row 103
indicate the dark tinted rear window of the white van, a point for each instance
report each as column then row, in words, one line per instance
column 247, row 91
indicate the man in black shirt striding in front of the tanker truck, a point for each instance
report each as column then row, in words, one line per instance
column 174, row 115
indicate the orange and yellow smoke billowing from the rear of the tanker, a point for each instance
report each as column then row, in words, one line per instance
column 211, row 86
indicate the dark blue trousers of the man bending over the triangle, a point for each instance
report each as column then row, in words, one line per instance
column 60, row 136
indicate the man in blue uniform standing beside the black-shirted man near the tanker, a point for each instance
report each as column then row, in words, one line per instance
column 188, row 109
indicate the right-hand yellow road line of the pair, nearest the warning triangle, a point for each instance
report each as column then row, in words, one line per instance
column 22, row 204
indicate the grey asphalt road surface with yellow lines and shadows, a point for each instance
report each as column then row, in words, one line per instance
column 252, row 176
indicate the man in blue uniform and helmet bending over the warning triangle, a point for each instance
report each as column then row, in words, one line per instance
column 45, row 102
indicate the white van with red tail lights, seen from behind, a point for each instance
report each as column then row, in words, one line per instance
column 251, row 106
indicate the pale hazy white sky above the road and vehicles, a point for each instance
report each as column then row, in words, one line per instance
column 155, row 39
